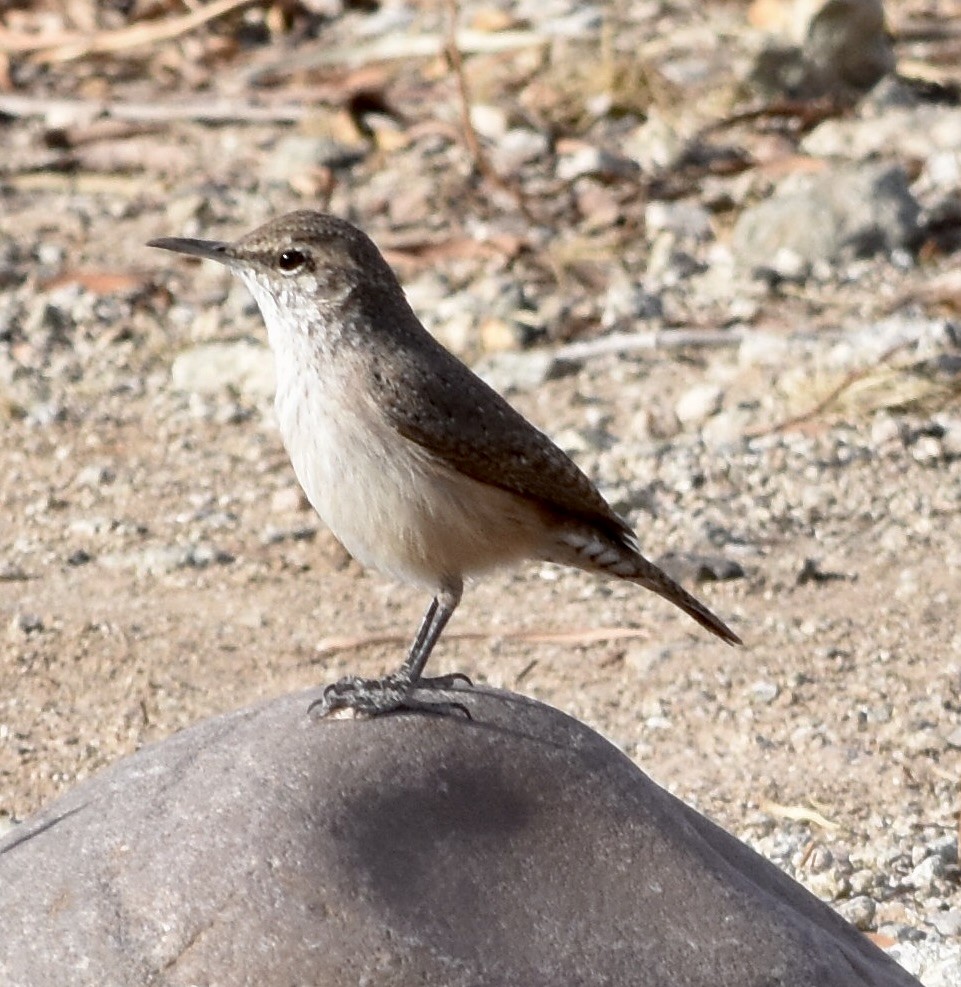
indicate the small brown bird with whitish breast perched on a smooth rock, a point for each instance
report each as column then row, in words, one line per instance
column 417, row 466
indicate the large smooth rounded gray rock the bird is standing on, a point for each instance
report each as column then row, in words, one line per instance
column 518, row 848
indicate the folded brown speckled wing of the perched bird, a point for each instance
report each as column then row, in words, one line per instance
column 469, row 426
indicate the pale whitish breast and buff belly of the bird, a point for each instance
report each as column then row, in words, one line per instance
column 393, row 505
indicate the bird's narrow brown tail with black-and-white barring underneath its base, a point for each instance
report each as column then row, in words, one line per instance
column 593, row 552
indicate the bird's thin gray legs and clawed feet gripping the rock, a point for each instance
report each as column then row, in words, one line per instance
column 394, row 691
